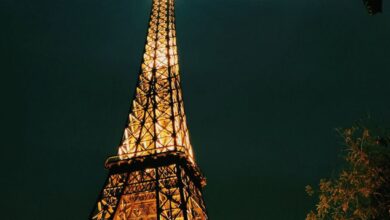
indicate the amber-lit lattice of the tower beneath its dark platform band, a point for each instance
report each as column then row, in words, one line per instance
column 138, row 201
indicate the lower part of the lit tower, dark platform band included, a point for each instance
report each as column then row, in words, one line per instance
column 163, row 186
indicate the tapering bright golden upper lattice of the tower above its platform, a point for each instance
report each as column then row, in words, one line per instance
column 157, row 122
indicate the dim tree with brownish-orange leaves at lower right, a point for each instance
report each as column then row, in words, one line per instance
column 361, row 189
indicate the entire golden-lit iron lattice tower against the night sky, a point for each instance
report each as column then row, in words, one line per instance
column 154, row 175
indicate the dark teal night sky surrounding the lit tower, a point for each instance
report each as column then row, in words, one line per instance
column 265, row 82
